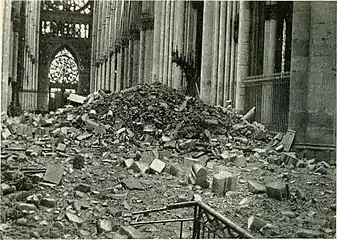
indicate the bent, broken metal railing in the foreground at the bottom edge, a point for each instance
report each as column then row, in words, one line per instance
column 206, row 222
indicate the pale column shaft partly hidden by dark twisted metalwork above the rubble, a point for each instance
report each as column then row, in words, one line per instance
column 178, row 40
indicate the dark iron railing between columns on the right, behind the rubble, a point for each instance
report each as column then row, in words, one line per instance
column 279, row 83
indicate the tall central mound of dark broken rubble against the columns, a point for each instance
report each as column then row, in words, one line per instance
column 157, row 112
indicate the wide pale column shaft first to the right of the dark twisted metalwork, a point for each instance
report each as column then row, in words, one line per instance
column 206, row 55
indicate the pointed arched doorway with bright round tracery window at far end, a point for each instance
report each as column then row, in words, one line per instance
column 63, row 76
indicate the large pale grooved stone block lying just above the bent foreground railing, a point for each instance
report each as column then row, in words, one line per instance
column 224, row 181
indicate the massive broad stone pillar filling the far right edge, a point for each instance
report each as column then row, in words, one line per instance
column 321, row 99
